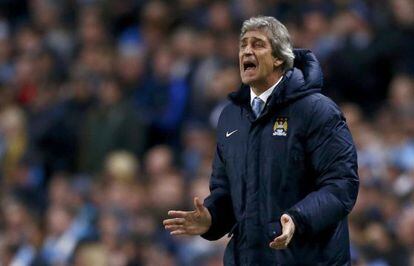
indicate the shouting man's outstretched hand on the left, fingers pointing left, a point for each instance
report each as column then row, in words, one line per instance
column 195, row 222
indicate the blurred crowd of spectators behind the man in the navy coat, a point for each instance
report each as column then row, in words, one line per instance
column 108, row 112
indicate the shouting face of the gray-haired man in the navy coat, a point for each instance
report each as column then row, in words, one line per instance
column 255, row 59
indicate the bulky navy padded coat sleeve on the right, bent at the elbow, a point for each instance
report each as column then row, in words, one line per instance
column 334, row 164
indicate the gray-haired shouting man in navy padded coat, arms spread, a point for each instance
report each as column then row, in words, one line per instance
column 285, row 172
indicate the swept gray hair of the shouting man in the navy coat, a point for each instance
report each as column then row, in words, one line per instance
column 278, row 36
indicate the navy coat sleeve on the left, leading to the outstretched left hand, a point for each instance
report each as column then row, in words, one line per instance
column 219, row 201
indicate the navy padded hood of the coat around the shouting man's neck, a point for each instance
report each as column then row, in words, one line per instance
column 303, row 79
